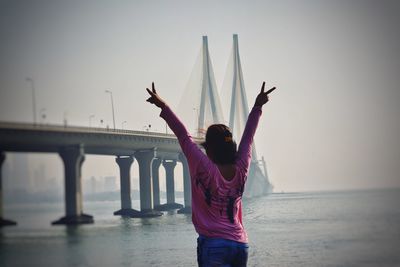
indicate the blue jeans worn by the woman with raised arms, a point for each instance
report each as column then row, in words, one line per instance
column 221, row 252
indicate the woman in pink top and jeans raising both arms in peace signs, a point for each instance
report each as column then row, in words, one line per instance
column 218, row 181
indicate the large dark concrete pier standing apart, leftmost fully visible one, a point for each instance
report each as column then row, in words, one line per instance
column 73, row 157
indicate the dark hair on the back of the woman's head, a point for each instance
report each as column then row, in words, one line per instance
column 220, row 144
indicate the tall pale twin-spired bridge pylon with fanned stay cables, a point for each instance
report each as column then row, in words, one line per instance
column 210, row 111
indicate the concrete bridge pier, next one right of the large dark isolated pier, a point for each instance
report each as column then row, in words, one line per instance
column 125, row 164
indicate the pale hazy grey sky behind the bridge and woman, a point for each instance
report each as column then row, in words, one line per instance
column 332, row 124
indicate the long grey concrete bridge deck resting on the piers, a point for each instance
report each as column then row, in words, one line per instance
column 50, row 138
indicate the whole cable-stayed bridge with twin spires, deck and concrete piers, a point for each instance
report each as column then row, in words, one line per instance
column 151, row 150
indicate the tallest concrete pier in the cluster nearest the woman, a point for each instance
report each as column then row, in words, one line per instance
column 145, row 159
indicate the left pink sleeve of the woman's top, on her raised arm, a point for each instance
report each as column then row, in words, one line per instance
column 193, row 153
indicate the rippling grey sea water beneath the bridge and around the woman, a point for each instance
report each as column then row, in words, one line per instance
column 353, row 228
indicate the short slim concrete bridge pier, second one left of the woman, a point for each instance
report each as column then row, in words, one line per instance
column 169, row 166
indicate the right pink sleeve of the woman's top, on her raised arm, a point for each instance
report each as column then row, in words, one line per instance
column 245, row 146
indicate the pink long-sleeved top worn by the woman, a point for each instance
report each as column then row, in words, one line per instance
column 216, row 202
